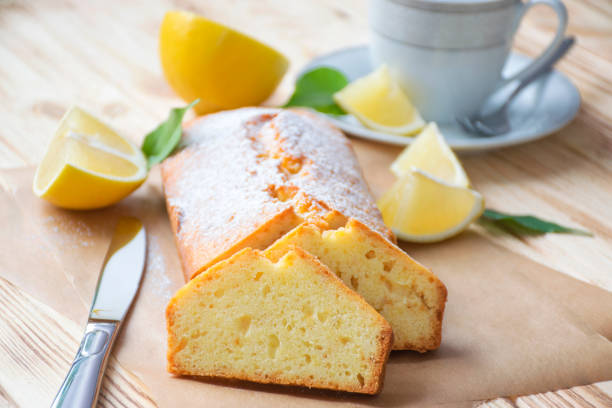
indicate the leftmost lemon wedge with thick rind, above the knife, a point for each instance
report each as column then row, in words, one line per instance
column 88, row 165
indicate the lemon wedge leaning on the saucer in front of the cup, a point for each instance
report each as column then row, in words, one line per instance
column 380, row 104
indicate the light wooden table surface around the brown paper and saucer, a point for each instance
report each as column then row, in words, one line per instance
column 103, row 56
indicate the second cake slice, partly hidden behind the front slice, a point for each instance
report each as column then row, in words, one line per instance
column 406, row 293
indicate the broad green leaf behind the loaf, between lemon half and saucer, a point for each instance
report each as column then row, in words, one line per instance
column 316, row 88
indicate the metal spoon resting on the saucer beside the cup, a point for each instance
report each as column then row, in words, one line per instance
column 496, row 122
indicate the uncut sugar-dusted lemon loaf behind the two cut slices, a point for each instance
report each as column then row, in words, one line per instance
column 244, row 178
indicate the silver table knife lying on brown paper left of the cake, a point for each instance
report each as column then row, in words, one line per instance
column 118, row 283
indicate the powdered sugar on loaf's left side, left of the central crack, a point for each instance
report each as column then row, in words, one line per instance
column 216, row 186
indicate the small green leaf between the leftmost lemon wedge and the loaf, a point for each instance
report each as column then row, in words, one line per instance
column 162, row 141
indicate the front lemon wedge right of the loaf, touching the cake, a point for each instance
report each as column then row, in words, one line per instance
column 423, row 208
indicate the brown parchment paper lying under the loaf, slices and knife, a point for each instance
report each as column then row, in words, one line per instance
column 511, row 327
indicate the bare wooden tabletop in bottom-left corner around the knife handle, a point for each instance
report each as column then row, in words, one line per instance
column 37, row 346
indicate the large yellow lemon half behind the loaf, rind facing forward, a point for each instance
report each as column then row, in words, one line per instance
column 222, row 67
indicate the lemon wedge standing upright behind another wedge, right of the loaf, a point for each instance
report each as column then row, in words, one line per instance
column 430, row 153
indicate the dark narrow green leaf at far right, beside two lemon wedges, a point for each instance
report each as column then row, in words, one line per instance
column 526, row 224
